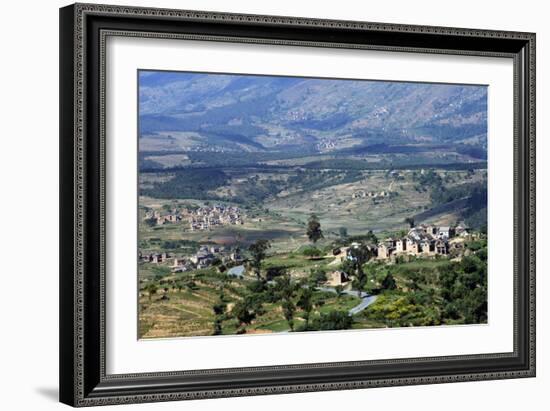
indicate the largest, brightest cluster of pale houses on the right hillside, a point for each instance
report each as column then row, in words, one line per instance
column 423, row 240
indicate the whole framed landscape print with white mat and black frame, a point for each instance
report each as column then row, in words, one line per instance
column 260, row 204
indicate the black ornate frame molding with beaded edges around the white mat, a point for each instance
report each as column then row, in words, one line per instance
column 83, row 32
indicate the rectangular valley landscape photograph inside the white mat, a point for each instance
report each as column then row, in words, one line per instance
column 275, row 204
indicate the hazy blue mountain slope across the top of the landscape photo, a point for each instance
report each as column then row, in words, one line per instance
column 265, row 113
